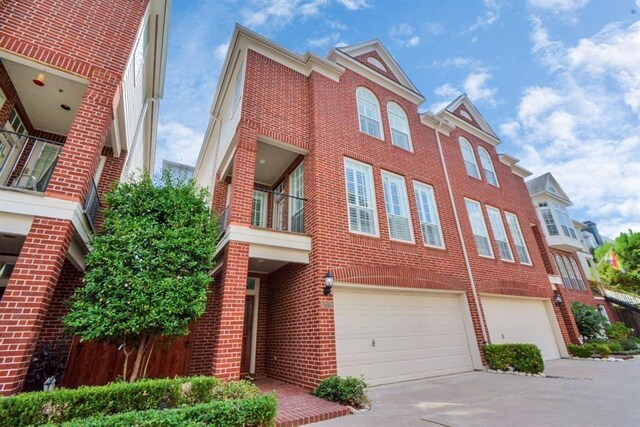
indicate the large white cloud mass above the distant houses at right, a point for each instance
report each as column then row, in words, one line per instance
column 583, row 126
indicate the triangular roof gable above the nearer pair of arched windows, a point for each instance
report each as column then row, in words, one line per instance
column 374, row 62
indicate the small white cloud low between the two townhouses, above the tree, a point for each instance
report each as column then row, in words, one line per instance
column 178, row 143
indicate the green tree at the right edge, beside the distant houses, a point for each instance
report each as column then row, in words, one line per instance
column 627, row 248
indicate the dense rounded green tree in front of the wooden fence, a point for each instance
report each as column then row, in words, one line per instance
column 148, row 270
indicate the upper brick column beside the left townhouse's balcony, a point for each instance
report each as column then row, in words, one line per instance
column 81, row 152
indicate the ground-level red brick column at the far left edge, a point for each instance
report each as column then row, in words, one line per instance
column 26, row 300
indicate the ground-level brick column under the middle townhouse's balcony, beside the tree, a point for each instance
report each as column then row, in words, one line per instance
column 230, row 300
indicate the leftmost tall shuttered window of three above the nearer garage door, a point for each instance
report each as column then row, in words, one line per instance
column 359, row 182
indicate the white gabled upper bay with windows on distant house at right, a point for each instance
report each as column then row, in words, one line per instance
column 551, row 203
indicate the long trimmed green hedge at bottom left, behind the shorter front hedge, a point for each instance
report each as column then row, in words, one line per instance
column 63, row 405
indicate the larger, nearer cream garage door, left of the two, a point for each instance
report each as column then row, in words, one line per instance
column 396, row 336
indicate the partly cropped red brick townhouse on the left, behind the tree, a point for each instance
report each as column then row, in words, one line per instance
column 79, row 88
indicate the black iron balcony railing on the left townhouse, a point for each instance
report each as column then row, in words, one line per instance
column 26, row 161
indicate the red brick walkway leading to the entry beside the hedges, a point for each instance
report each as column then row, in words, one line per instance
column 297, row 407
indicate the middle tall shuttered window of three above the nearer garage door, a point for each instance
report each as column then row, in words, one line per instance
column 395, row 198
